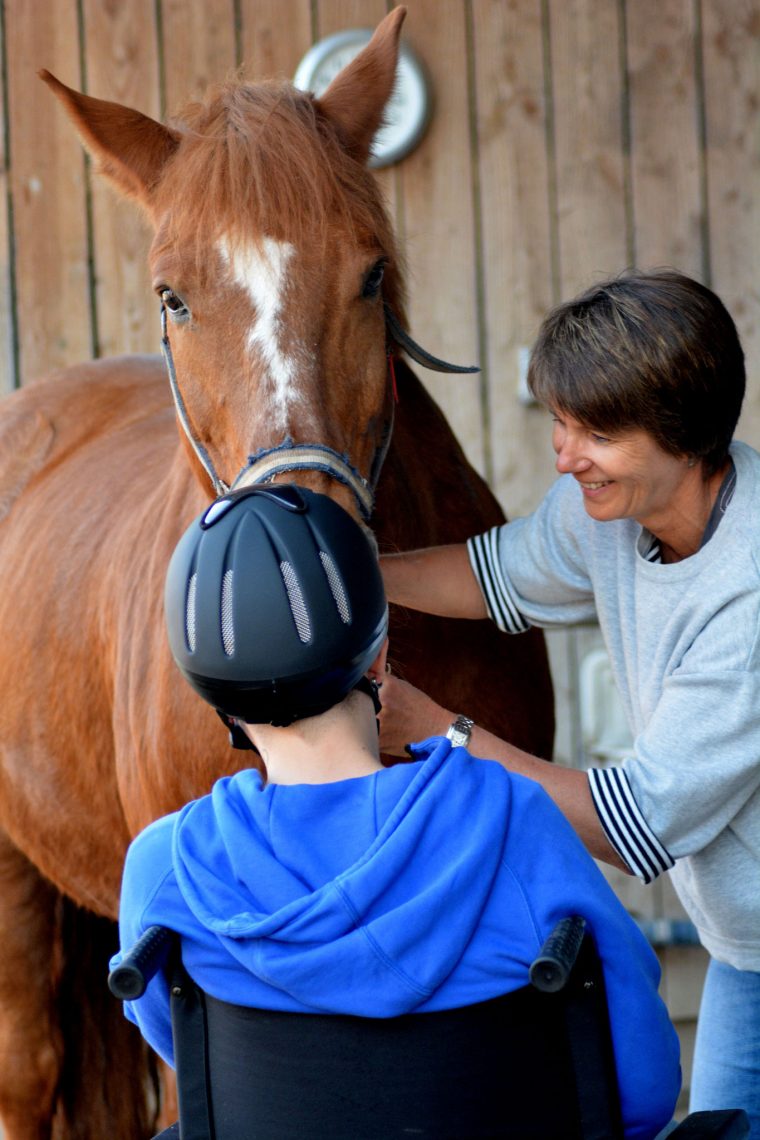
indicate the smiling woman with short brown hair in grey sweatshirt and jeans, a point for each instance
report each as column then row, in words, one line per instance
column 652, row 531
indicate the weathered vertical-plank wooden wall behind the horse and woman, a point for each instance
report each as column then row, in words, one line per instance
column 570, row 139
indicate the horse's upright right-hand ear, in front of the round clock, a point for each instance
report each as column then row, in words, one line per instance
column 356, row 100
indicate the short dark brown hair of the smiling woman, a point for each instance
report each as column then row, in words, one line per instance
column 651, row 351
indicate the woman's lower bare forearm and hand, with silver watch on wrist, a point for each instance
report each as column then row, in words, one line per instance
column 410, row 715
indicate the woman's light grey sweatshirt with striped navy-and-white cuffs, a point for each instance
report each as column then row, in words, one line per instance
column 684, row 641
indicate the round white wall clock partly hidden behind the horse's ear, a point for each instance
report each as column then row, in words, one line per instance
column 407, row 112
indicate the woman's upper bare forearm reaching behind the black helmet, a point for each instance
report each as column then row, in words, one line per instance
column 437, row 581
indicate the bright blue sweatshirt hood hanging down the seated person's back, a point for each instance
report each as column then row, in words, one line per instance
column 348, row 890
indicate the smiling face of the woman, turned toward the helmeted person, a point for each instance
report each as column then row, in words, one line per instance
column 625, row 476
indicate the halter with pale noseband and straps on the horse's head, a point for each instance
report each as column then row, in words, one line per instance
column 265, row 465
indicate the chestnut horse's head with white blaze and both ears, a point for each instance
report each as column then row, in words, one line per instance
column 274, row 288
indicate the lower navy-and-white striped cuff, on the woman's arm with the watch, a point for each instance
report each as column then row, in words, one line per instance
column 625, row 826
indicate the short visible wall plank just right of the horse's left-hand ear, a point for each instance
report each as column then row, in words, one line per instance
column 199, row 47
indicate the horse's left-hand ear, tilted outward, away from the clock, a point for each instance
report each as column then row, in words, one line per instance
column 132, row 150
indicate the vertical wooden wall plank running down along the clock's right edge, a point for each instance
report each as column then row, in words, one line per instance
column 436, row 185
